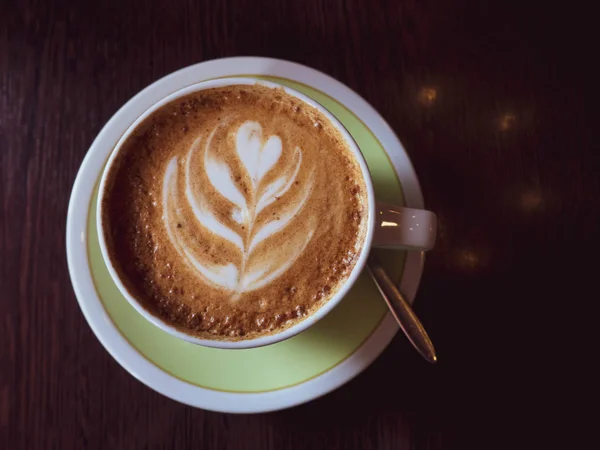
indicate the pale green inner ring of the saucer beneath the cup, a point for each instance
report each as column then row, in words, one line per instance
column 287, row 363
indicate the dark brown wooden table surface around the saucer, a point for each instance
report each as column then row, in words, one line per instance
column 506, row 152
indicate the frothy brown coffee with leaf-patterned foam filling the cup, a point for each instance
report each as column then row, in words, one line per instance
column 234, row 212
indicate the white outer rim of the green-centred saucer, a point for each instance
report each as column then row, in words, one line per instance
column 121, row 348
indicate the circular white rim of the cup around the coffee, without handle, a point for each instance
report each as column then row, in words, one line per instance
column 316, row 315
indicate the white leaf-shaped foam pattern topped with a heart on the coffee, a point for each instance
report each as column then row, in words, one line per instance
column 258, row 157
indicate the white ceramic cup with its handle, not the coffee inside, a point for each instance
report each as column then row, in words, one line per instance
column 388, row 225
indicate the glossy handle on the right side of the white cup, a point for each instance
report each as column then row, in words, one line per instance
column 399, row 227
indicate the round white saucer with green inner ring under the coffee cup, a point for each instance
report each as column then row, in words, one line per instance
column 289, row 373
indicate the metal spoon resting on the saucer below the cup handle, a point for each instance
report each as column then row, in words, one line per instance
column 401, row 310
